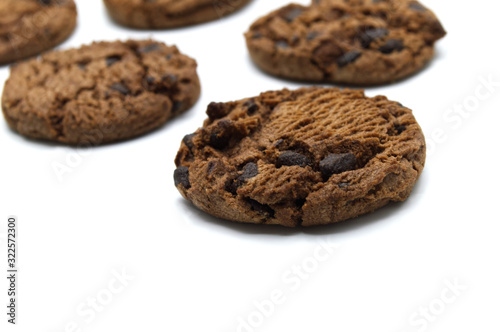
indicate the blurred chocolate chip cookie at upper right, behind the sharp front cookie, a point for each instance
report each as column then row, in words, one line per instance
column 361, row 42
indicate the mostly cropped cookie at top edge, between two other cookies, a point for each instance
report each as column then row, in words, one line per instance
column 162, row 14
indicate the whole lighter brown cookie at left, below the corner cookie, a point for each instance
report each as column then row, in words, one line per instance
column 100, row 93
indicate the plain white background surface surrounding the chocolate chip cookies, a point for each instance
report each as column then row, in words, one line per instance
column 118, row 209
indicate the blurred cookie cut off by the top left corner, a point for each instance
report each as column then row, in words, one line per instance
column 29, row 27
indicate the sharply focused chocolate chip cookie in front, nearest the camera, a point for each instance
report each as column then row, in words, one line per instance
column 307, row 157
